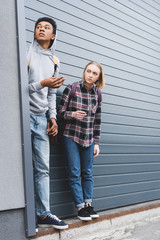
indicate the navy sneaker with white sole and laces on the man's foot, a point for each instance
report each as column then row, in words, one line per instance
column 52, row 221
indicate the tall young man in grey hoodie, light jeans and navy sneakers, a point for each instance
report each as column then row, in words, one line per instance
column 43, row 82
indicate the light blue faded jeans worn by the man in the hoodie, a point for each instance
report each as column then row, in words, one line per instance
column 40, row 154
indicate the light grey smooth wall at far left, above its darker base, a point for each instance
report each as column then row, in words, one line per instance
column 11, row 171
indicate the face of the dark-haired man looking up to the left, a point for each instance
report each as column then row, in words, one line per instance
column 44, row 32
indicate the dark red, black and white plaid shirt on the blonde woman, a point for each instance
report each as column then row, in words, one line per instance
column 87, row 130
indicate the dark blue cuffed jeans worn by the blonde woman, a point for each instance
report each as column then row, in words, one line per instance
column 80, row 165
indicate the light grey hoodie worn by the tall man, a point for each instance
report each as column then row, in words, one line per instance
column 41, row 66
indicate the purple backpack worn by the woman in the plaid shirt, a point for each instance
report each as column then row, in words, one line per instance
column 61, row 121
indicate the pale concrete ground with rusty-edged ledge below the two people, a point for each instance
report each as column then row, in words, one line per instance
column 137, row 222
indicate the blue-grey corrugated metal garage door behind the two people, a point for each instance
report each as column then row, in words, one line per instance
column 124, row 36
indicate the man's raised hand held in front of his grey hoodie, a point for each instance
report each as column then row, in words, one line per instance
column 52, row 82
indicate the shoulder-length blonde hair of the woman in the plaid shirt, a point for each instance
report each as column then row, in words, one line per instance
column 101, row 81
